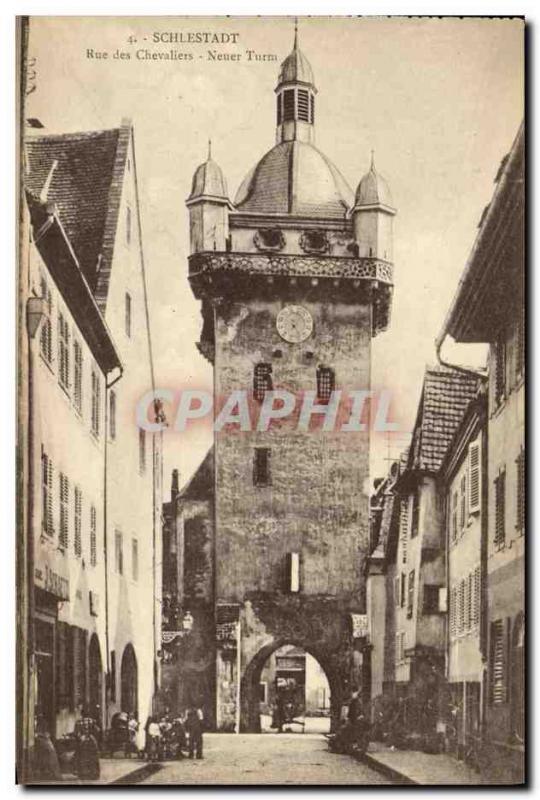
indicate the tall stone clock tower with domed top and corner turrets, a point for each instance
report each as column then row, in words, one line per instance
column 295, row 279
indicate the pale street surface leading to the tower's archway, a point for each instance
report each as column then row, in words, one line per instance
column 266, row 759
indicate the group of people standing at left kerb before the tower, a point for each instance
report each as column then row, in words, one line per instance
column 169, row 737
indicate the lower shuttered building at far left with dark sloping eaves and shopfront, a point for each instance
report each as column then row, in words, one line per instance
column 73, row 357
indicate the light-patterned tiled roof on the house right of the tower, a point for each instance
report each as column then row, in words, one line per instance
column 445, row 397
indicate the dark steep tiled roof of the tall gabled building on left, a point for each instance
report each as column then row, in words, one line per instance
column 86, row 187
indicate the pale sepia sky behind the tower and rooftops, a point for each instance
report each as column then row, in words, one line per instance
column 438, row 100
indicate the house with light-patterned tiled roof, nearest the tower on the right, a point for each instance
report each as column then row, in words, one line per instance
column 408, row 624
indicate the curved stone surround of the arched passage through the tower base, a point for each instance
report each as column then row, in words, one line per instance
column 249, row 685
